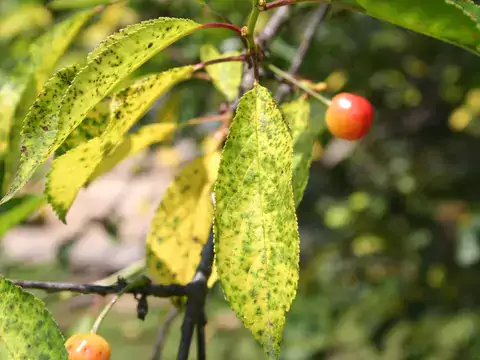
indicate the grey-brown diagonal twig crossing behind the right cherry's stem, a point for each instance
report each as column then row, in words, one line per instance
column 302, row 50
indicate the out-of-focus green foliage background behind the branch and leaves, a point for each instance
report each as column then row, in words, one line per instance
column 389, row 226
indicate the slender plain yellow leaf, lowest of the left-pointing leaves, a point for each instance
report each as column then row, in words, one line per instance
column 132, row 144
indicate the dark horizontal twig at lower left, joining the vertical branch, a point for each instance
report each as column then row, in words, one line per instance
column 162, row 291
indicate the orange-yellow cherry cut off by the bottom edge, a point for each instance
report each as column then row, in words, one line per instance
column 87, row 347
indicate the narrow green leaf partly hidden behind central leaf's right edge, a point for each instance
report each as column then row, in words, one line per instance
column 297, row 115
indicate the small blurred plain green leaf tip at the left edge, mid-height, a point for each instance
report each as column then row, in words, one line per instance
column 18, row 210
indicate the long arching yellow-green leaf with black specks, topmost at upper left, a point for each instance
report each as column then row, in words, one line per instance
column 119, row 57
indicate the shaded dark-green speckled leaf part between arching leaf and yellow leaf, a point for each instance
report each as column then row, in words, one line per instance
column 92, row 126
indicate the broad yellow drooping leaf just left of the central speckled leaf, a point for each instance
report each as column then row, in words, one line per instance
column 183, row 222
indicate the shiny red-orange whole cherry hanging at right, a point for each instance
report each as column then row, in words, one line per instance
column 349, row 116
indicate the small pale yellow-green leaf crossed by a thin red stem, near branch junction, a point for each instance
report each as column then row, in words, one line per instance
column 226, row 76
